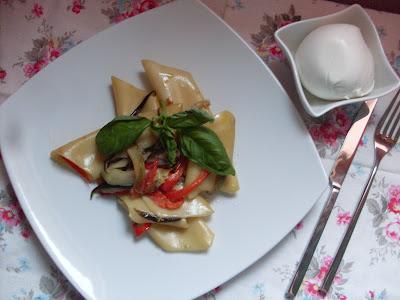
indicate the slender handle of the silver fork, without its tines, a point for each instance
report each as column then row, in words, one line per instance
column 330, row 275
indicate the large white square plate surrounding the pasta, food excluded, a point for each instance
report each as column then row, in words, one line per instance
column 91, row 242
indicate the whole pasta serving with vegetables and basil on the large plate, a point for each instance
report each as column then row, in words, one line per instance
column 162, row 156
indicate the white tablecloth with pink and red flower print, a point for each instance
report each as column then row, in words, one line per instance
column 33, row 33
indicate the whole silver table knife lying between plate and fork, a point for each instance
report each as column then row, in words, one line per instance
column 336, row 178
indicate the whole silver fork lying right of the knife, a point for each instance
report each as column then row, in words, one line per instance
column 387, row 134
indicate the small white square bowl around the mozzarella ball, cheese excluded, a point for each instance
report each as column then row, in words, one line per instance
column 290, row 37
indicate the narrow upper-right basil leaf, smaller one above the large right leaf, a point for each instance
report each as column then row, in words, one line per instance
column 188, row 119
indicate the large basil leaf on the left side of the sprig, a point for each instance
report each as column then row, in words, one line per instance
column 120, row 133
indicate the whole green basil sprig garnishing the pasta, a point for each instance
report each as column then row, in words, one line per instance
column 183, row 131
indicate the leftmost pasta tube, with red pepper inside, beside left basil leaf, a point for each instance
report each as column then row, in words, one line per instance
column 81, row 155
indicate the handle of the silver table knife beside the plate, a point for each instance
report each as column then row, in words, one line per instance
column 312, row 245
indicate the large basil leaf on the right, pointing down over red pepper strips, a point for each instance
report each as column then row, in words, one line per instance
column 202, row 146
